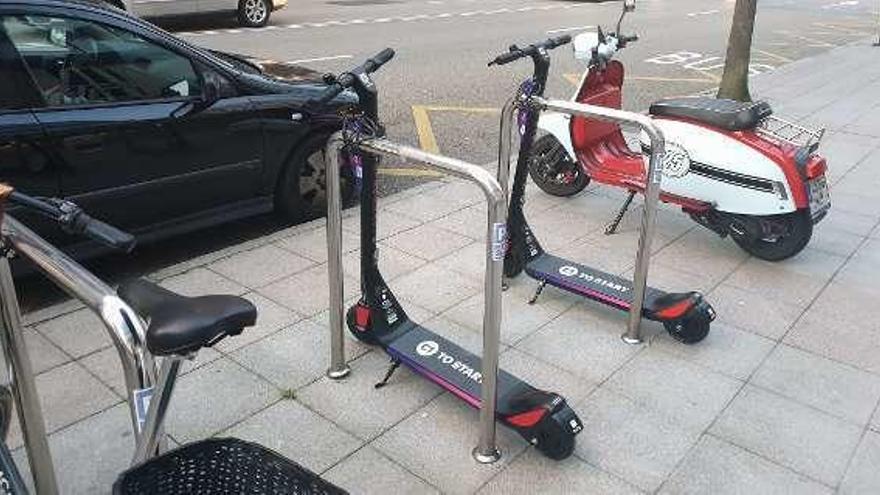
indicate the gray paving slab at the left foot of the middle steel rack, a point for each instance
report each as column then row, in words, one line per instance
column 292, row 357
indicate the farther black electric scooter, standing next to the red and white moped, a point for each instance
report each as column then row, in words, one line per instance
column 686, row 316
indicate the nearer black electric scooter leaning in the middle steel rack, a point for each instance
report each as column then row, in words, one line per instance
column 542, row 418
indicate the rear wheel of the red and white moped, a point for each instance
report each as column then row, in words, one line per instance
column 774, row 237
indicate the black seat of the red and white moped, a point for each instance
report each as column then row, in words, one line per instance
column 730, row 115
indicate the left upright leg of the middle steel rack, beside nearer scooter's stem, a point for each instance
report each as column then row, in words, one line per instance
column 338, row 366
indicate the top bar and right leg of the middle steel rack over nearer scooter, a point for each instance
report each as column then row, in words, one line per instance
column 486, row 450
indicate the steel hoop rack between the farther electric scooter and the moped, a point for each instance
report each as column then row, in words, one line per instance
column 652, row 190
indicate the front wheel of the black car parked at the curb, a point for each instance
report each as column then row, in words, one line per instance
column 302, row 188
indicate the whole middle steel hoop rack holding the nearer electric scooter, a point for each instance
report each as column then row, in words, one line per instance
column 486, row 450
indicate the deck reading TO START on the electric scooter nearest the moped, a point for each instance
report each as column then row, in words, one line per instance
column 587, row 282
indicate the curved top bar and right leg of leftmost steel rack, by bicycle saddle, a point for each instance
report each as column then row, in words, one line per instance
column 124, row 325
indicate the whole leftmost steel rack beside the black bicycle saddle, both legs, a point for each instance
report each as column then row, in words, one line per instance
column 123, row 324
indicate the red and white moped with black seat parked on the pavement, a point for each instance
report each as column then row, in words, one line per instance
column 731, row 166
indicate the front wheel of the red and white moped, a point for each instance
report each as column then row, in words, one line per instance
column 553, row 170
